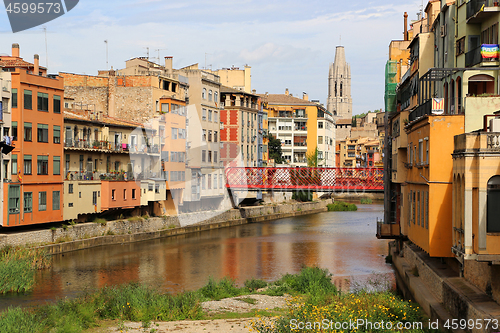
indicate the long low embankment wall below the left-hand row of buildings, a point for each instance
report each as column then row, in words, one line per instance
column 87, row 235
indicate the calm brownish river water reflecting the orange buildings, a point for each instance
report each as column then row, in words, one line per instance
column 342, row 242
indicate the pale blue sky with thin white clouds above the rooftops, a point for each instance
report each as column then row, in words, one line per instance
column 288, row 44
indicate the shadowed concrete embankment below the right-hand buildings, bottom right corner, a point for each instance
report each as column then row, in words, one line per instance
column 441, row 293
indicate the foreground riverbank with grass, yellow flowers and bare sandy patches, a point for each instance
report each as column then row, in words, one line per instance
column 305, row 297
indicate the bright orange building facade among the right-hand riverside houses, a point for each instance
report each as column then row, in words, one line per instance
column 427, row 203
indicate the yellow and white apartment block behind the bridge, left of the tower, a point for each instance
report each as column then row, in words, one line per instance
column 301, row 126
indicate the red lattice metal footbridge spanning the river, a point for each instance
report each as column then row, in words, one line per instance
column 315, row 179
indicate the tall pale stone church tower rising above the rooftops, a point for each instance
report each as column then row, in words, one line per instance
column 339, row 87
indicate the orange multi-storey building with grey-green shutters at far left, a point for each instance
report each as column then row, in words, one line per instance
column 34, row 194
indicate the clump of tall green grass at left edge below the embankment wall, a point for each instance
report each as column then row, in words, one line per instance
column 18, row 266
